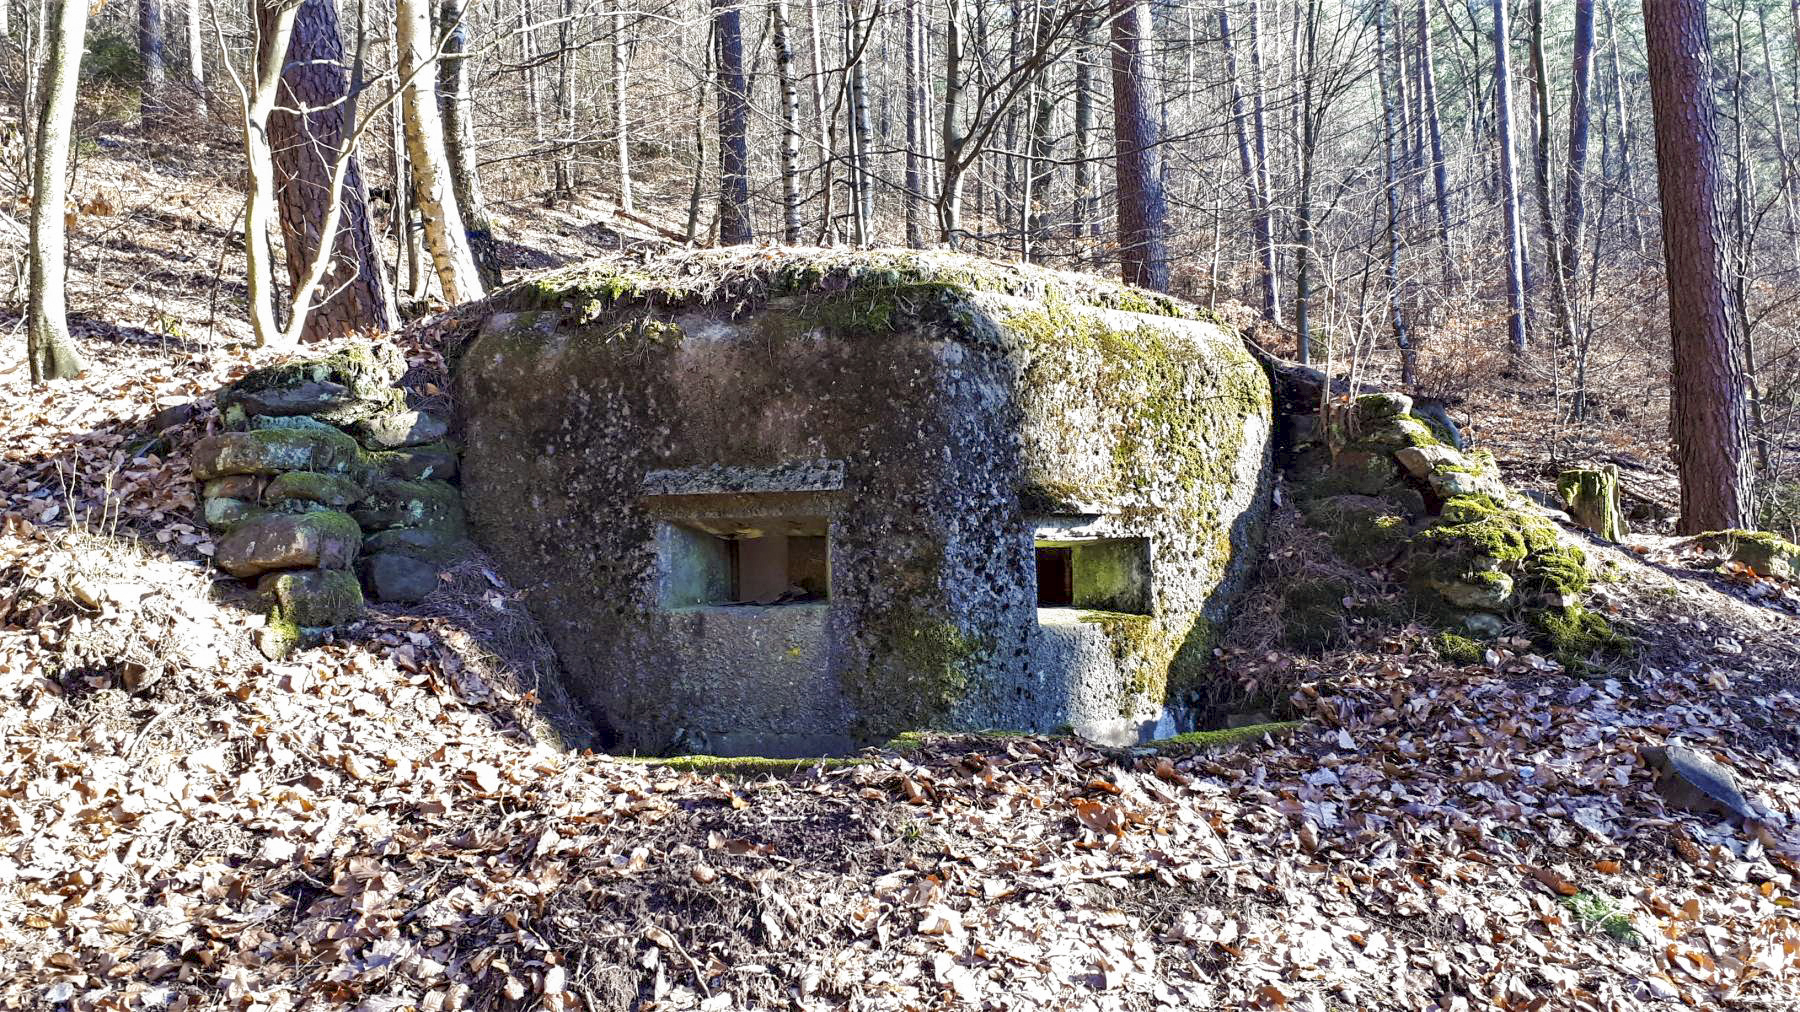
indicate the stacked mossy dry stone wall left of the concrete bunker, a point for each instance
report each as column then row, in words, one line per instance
column 325, row 487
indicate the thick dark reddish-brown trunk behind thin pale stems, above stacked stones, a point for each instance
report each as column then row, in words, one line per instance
column 305, row 156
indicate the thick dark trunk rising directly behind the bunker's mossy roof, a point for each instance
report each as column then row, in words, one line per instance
column 1138, row 158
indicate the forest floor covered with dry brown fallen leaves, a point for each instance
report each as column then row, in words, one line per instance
column 388, row 822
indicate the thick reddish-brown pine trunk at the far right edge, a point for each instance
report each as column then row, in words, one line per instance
column 1707, row 402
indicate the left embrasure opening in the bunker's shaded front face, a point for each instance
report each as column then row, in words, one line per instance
column 777, row 561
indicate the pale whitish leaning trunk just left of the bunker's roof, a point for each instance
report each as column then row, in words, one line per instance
column 426, row 147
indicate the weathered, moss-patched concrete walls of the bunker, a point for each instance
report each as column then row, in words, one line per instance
column 931, row 415
